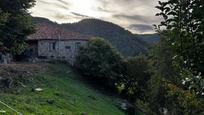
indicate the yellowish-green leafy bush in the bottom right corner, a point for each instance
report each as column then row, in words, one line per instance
column 182, row 102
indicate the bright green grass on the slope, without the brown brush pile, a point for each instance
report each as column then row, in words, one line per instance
column 71, row 96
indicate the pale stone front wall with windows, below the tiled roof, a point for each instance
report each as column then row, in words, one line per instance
column 60, row 50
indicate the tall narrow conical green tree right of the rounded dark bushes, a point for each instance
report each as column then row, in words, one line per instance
column 160, row 60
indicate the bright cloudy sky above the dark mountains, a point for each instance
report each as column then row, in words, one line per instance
column 137, row 16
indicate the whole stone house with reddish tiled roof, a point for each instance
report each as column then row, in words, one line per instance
column 54, row 43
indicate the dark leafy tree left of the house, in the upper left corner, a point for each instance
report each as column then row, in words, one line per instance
column 17, row 25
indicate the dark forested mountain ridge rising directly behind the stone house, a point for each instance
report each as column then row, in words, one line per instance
column 126, row 42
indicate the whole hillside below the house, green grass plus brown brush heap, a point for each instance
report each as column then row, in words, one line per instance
column 52, row 89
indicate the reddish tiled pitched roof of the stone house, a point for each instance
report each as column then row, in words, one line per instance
column 53, row 32
